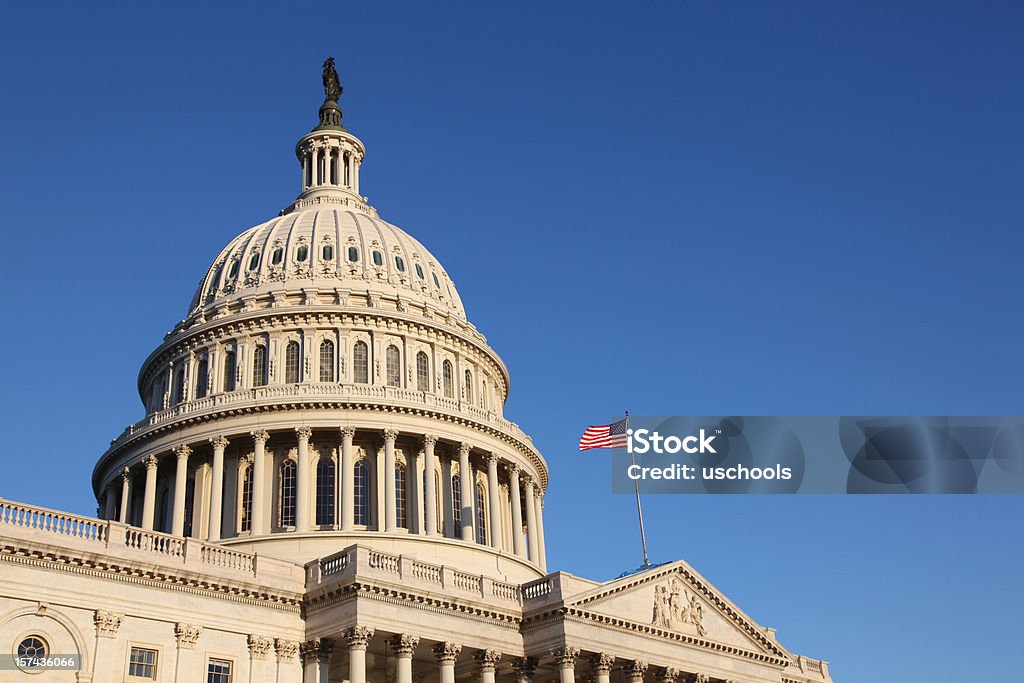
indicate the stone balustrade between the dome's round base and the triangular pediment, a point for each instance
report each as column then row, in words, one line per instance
column 367, row 563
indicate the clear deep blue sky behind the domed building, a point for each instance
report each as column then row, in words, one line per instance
column 674, row 208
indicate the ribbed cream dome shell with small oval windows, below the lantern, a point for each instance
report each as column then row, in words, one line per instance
column 327, row 248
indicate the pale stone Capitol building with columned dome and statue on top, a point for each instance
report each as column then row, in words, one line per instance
column 325, row 489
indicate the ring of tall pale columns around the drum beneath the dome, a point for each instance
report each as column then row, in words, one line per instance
column 528, row 545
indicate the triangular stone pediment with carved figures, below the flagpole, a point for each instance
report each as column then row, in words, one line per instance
column 673, row 601
